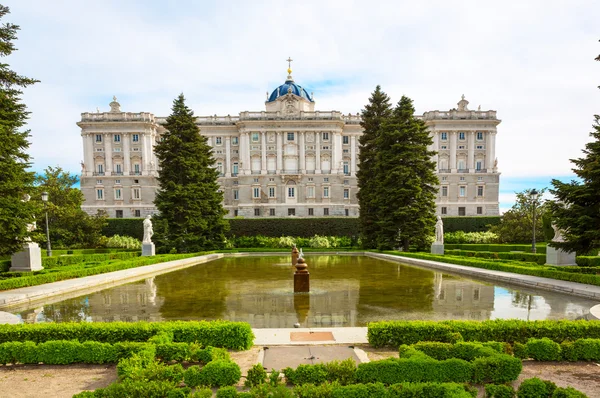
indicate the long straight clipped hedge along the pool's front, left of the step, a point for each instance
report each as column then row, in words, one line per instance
column 233, row 335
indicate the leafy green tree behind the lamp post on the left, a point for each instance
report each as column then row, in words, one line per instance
column 70, row 226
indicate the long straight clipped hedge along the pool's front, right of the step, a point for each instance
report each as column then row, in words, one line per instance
column 396, row 333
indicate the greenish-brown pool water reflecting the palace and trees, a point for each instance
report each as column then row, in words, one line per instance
column 345, row 291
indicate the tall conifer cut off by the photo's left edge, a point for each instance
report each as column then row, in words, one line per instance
column 15, row 180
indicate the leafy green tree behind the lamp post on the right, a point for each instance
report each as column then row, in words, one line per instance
column 517, row 223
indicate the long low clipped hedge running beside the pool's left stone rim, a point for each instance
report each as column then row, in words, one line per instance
column 26, row 279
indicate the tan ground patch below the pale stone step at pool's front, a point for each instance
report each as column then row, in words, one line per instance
column 279, row 358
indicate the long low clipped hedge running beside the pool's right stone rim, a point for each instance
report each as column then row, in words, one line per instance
column 514, row 267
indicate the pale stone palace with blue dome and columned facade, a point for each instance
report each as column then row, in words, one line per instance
column 288, row 160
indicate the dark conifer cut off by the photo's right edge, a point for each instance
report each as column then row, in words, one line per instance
column 577, row 208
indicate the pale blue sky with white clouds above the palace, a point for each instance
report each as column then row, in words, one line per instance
column 532, row 61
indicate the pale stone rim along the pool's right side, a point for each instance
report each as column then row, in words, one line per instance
column 548, row 284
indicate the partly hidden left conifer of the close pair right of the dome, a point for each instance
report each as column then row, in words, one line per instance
column 376, row 111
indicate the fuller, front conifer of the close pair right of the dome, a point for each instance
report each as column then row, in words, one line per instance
column 406, row 183
